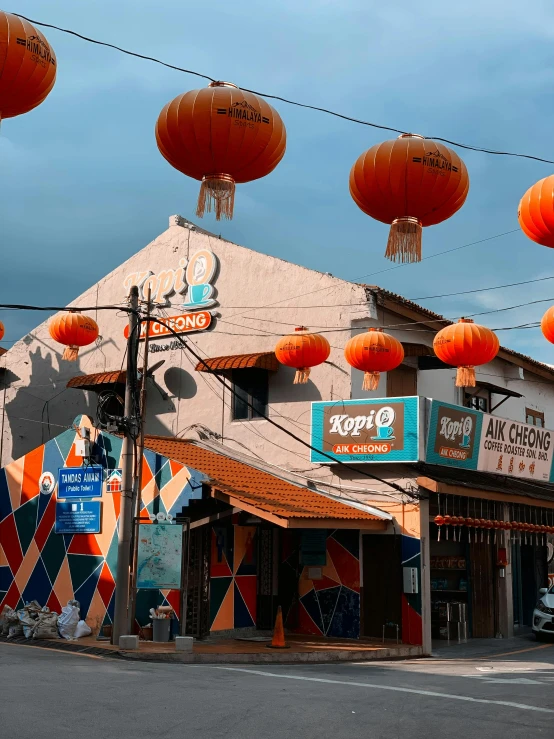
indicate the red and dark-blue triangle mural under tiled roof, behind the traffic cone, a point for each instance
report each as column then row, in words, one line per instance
column 330, row 605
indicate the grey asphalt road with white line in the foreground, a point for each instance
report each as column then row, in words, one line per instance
column 500, row 690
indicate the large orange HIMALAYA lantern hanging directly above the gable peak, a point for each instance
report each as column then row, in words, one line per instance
column 221, row 136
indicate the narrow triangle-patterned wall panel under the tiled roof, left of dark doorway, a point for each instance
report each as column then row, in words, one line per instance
column 233, row 578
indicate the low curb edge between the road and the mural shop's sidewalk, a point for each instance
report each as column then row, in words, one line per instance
column 321, row 657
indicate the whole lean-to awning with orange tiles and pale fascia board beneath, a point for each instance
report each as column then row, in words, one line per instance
column 268, row 496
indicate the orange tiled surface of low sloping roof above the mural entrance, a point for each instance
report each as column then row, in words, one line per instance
column 256, row 488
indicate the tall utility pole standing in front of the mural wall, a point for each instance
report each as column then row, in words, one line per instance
column 121, row 619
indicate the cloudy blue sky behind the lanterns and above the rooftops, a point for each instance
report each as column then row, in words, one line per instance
column 83, row 186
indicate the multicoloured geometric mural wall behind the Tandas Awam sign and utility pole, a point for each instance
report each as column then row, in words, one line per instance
column 38, row 564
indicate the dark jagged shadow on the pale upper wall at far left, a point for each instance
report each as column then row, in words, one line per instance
column 38, row 410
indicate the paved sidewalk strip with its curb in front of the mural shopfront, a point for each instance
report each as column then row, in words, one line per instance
column 301, row 649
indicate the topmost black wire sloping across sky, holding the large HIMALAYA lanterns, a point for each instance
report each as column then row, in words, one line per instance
column 317, row 108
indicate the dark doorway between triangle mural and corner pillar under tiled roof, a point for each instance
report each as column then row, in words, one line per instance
column 382, row 584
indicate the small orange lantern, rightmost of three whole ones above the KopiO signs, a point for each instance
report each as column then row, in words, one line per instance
column 466, row 345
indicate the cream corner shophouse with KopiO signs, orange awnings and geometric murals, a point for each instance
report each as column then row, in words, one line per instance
column 352, row 582
